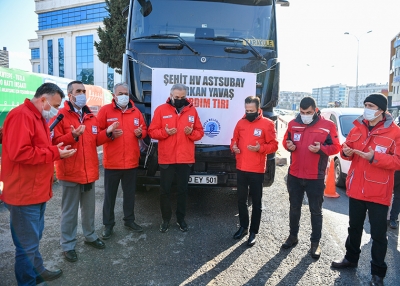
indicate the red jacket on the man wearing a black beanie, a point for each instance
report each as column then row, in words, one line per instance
column 373, row 181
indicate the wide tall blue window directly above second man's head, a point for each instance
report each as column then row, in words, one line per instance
column 84, row 59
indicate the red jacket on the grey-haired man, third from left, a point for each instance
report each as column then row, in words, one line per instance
column 123, row 152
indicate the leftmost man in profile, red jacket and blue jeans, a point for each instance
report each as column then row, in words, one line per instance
column 27, row 171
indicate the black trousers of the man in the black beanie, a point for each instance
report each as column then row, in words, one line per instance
column 377, row 214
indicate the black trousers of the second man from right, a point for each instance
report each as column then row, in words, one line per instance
column 315, row 193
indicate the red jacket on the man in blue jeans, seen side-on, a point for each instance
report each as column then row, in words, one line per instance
column 28, row 156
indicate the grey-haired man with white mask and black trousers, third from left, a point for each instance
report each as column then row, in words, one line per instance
column 121, row 157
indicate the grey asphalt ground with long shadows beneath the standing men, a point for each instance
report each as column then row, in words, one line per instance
column 206, row 254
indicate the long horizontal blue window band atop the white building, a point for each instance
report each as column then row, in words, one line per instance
column 73, row 16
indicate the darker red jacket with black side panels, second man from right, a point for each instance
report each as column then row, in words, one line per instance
column 305, row 164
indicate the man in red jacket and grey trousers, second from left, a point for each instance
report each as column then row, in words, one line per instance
column 77, row 175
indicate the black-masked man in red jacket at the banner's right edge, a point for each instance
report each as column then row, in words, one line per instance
column 253, row 139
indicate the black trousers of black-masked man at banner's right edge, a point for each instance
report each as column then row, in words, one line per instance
column 253, row 182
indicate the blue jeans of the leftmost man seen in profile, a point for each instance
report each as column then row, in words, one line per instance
column 27, row 224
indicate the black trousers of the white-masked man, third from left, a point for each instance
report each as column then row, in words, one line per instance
column 112, row 177
